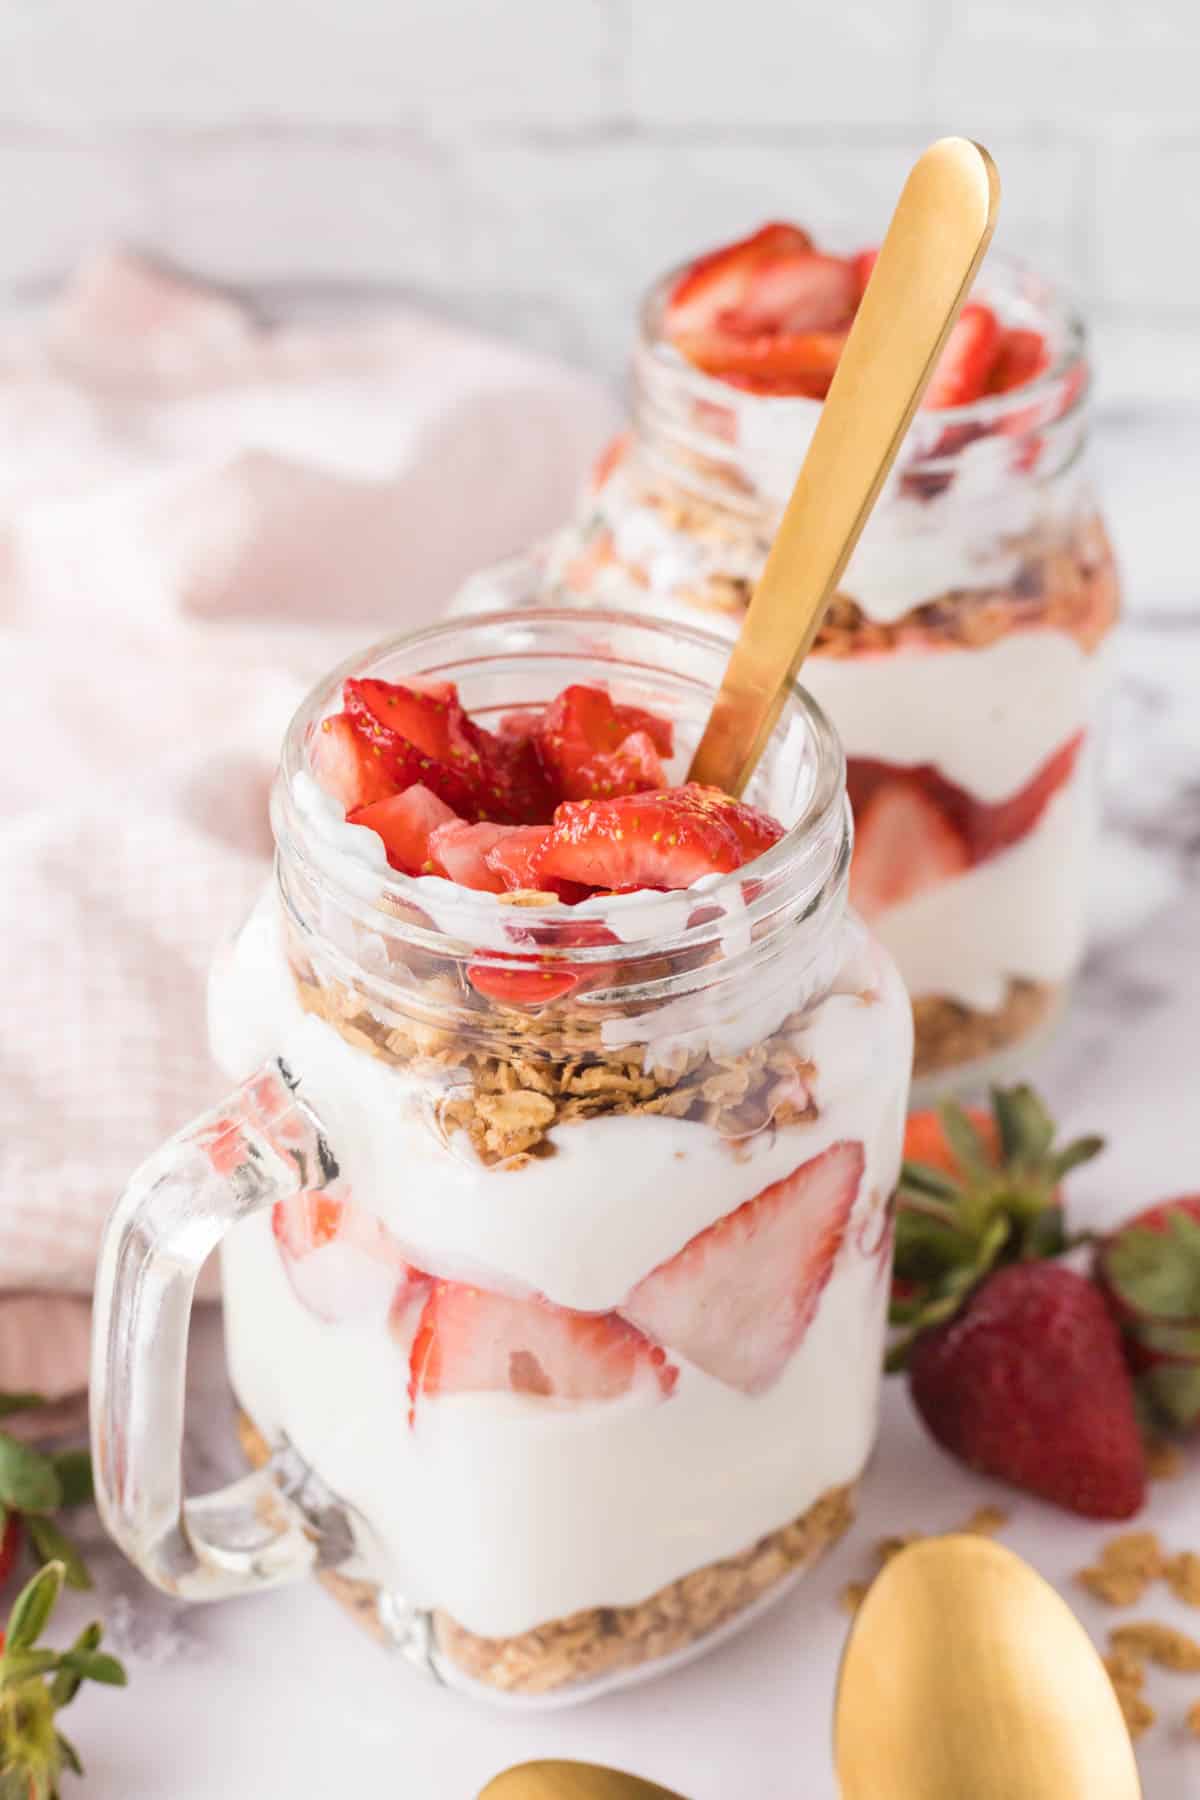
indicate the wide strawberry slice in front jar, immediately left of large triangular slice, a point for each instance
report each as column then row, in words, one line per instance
column 472, row 1342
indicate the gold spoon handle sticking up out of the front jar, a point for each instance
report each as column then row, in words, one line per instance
column 935, row 244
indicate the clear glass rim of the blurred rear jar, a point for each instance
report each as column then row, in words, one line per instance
column 1005, row 276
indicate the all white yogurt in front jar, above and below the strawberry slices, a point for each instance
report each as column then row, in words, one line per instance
column 508, row 1511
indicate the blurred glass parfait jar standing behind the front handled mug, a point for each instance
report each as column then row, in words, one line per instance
column 963, row 661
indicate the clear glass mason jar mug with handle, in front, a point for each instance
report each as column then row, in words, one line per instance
column 560, row 1261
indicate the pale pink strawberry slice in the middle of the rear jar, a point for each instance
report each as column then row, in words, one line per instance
column 904, row 845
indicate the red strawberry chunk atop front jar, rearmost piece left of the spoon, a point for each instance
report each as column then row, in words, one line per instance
column 595, row 750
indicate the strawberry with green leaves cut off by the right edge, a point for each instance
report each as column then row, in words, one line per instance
column 1151, row 1273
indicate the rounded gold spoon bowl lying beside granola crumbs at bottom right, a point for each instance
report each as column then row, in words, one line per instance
column 969, row 1678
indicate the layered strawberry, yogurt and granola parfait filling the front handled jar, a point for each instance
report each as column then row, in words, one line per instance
column 584, row 1326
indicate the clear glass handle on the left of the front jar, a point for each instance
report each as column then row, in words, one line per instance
column 262, row 1146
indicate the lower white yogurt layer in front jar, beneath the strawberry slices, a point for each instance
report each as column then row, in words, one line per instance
column 508, row 1511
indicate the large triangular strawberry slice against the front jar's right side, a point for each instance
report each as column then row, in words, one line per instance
column 740, row 1297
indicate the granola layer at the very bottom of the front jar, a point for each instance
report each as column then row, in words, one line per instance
column 609, row 1639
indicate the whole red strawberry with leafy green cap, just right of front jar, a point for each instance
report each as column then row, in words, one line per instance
column 1016, row 1363
